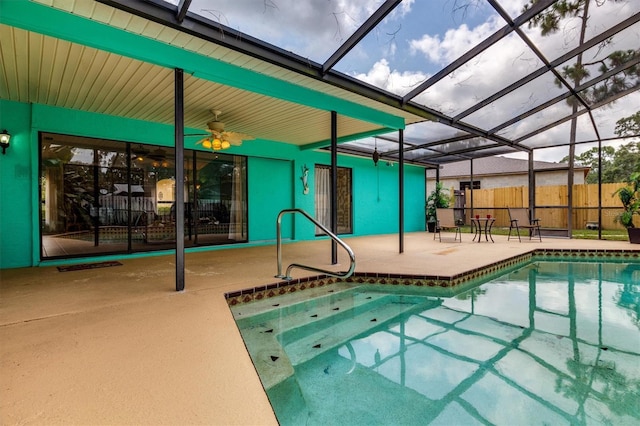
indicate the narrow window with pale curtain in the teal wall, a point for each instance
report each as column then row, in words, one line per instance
column 323, row 199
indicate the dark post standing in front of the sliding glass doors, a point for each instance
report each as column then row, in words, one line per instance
column 179, row 154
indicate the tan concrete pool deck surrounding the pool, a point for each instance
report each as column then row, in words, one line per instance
column 118, row 345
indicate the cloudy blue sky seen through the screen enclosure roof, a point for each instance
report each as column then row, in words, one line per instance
column 420, row 37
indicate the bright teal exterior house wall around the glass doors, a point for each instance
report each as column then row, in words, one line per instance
column 274, row 180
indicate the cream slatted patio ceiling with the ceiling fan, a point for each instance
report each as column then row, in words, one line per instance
column 78, row 77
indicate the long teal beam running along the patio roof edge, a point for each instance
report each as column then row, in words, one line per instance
column 56, row 23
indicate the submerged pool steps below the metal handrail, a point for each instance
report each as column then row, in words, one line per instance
column 319, row 326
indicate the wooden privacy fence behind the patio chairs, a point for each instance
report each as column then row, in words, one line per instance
column 551, row 204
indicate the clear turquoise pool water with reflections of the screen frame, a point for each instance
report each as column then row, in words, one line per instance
column 549, row 343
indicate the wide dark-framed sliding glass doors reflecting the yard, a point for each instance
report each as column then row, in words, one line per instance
column 99, row 196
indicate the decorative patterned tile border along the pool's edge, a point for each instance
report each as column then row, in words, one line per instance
column 300, row 284
